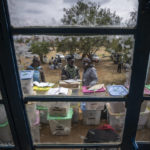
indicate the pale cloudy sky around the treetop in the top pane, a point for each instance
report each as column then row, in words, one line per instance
column 50, row 12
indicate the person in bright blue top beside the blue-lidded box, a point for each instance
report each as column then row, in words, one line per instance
column 38, row 71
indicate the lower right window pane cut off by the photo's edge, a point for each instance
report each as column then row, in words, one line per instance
column 143, row 132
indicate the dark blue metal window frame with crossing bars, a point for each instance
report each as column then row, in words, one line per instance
column 13, row 97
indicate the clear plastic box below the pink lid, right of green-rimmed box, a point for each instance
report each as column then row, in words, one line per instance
column 92, row 112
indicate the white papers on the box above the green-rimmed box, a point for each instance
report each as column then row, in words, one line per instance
column 57, row 91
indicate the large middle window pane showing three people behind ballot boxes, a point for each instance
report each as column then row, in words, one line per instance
column 104, row 61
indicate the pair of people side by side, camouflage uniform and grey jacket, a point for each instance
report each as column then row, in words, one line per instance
column 70, row 71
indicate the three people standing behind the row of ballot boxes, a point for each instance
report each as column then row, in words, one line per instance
column 70, row 71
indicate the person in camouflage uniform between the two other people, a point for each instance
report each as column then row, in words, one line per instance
column 70, row 71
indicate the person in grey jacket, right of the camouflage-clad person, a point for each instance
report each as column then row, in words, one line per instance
column 89, row 77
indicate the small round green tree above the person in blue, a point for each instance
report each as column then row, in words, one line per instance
column 40, row 48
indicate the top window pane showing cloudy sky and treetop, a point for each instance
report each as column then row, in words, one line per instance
column 73, row 13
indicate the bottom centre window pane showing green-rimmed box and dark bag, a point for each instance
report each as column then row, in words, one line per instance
column 76, row 122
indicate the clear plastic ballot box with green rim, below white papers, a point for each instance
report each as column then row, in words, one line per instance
column 59, row 117
